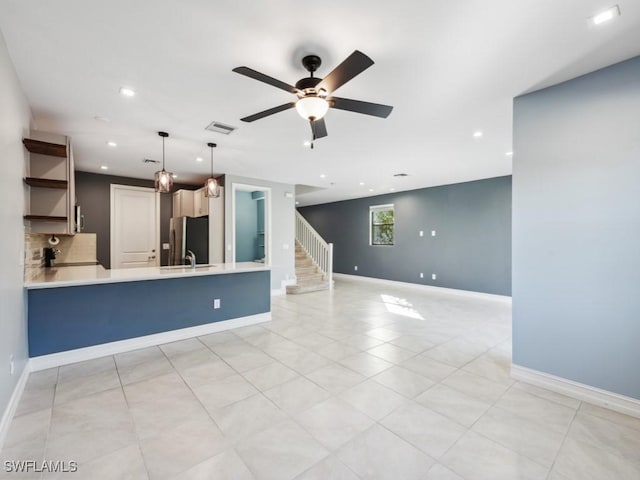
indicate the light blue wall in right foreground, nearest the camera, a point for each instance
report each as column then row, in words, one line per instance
column 576, row 225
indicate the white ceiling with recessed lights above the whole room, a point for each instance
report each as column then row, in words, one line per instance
column 448, row 67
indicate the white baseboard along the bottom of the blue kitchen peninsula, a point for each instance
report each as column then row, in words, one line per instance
column 88, row 353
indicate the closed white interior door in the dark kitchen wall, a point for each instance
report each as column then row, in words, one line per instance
column 135, row 227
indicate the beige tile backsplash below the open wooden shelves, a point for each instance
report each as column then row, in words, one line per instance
column 80, row 247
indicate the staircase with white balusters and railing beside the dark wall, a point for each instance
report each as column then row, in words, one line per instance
column 314, row 260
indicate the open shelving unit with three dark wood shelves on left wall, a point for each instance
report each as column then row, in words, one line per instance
column 50, row 183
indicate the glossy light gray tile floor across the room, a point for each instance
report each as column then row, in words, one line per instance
column 370, row 381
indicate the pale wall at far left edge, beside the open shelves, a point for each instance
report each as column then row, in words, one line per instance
column 14, row 125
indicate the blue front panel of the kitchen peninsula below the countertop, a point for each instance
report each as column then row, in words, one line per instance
column 67, row 318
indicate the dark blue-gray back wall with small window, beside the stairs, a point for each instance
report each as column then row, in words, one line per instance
column 471, row 249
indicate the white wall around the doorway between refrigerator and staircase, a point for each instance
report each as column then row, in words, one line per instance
column 282, row 226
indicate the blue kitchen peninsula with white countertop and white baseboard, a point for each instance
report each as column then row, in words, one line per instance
column 88, row 311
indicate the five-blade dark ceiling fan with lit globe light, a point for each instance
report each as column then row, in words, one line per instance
column 315, row 94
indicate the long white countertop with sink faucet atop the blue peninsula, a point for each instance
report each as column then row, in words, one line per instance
column 95, row 274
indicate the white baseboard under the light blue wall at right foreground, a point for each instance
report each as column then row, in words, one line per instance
column 580, row 391
